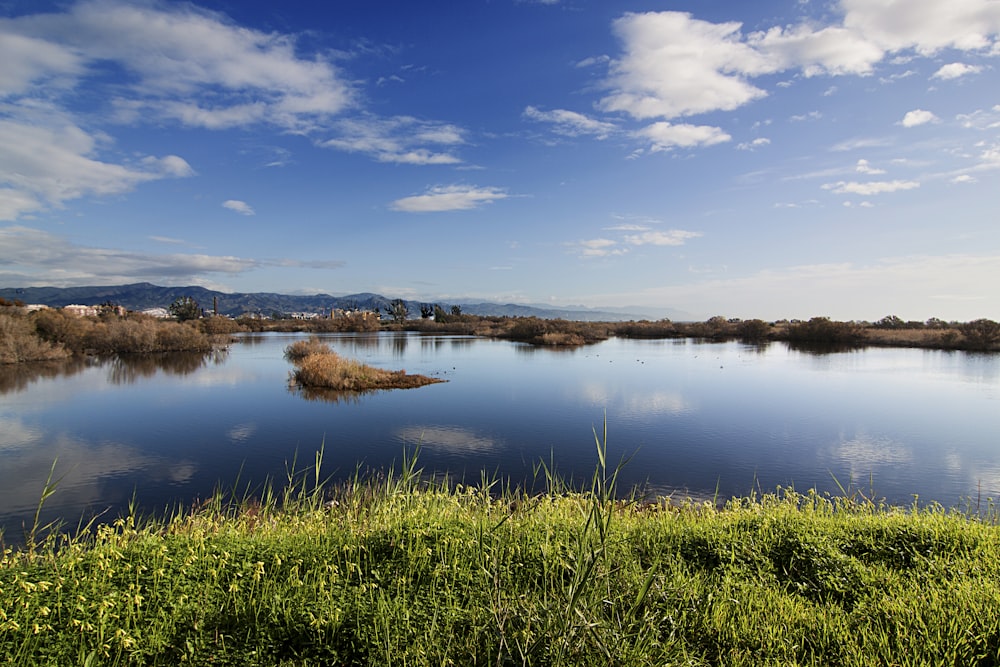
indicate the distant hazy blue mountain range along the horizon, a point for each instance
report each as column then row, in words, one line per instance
column 141, row 296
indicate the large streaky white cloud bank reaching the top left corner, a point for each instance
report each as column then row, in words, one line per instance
column 226, row 74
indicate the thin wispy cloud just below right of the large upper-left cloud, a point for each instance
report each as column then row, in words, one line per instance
column 400, row 140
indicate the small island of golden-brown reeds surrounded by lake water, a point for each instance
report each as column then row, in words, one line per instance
column 317, row 366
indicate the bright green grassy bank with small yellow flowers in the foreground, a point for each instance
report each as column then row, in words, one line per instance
column 404, row 572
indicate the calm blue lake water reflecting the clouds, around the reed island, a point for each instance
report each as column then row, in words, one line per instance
column 694, row 417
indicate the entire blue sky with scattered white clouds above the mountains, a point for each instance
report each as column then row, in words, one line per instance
column 771, row 159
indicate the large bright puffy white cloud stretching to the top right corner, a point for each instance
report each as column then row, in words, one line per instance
column 673, row 65
